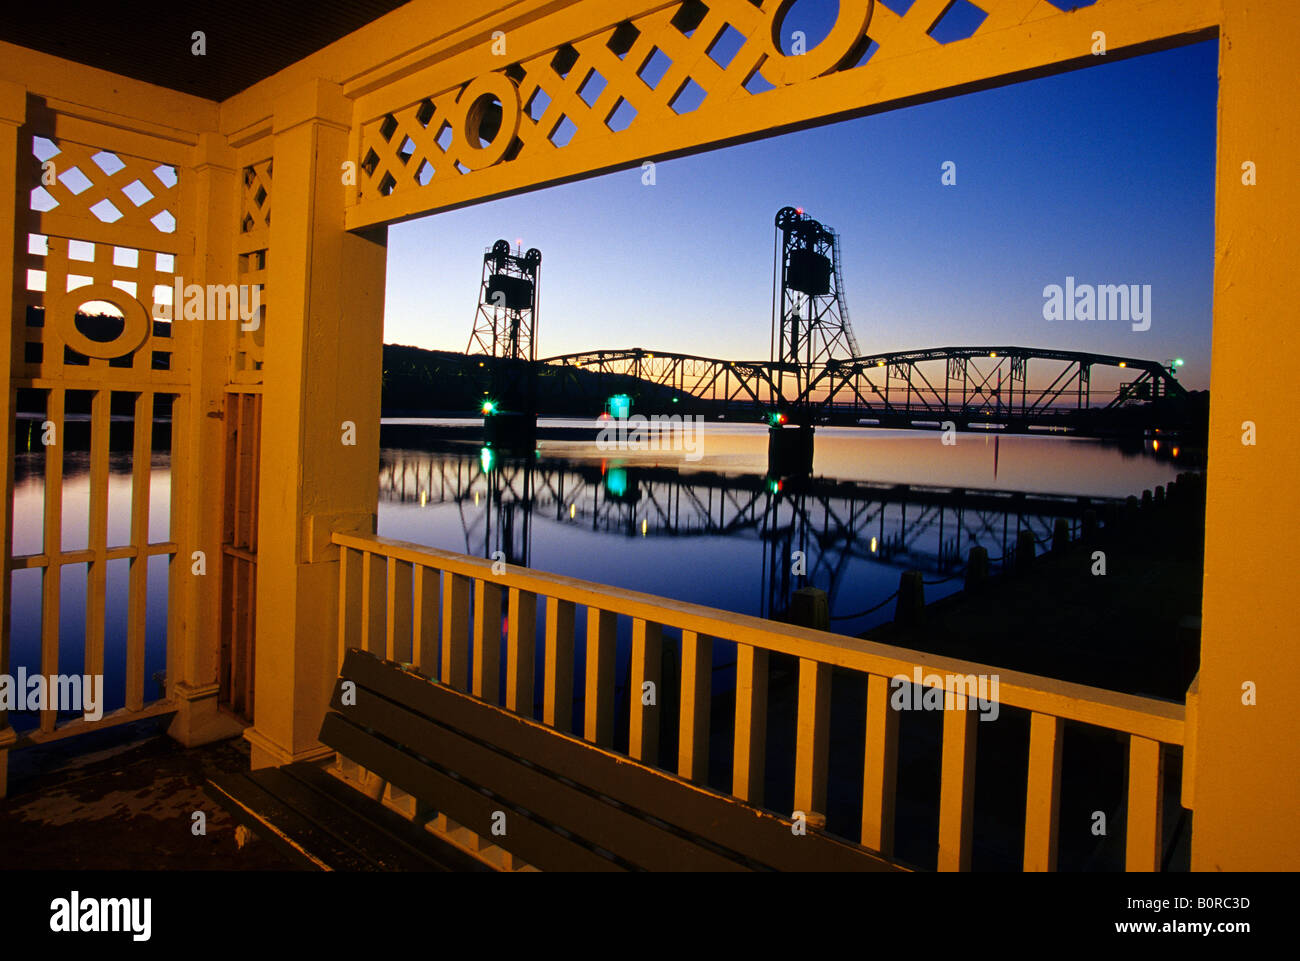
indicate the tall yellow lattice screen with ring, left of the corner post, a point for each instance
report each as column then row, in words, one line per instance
column 102, row 239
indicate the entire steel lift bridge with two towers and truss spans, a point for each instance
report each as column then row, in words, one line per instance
column 817, row 374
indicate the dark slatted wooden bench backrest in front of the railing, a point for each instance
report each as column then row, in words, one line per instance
column 556, row 802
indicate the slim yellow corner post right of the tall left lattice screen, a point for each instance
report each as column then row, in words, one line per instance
column 194, row 655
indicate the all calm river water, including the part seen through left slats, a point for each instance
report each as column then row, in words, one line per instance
column 714, row 531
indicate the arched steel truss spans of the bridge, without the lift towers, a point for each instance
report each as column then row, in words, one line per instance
column 1006, row 387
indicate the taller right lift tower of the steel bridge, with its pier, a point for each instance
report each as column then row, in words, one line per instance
column 811, row 328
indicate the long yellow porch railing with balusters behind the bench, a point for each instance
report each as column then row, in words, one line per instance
column 440, row 612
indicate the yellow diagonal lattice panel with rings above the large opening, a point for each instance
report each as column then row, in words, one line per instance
column 634, row 76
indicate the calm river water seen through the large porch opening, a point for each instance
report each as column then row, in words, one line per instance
column 710, row 527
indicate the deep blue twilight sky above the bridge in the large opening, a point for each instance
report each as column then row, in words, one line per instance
column 1106, row 175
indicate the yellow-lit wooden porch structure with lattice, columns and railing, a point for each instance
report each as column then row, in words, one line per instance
column 265, row 174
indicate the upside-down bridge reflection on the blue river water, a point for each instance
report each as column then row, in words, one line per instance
column 851, row 539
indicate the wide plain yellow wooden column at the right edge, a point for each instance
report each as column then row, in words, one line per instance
column 1247, row 756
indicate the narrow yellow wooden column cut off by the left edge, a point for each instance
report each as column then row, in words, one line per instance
column 14, row 112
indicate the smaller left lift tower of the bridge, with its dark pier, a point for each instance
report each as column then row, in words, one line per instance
column 506, row 331
